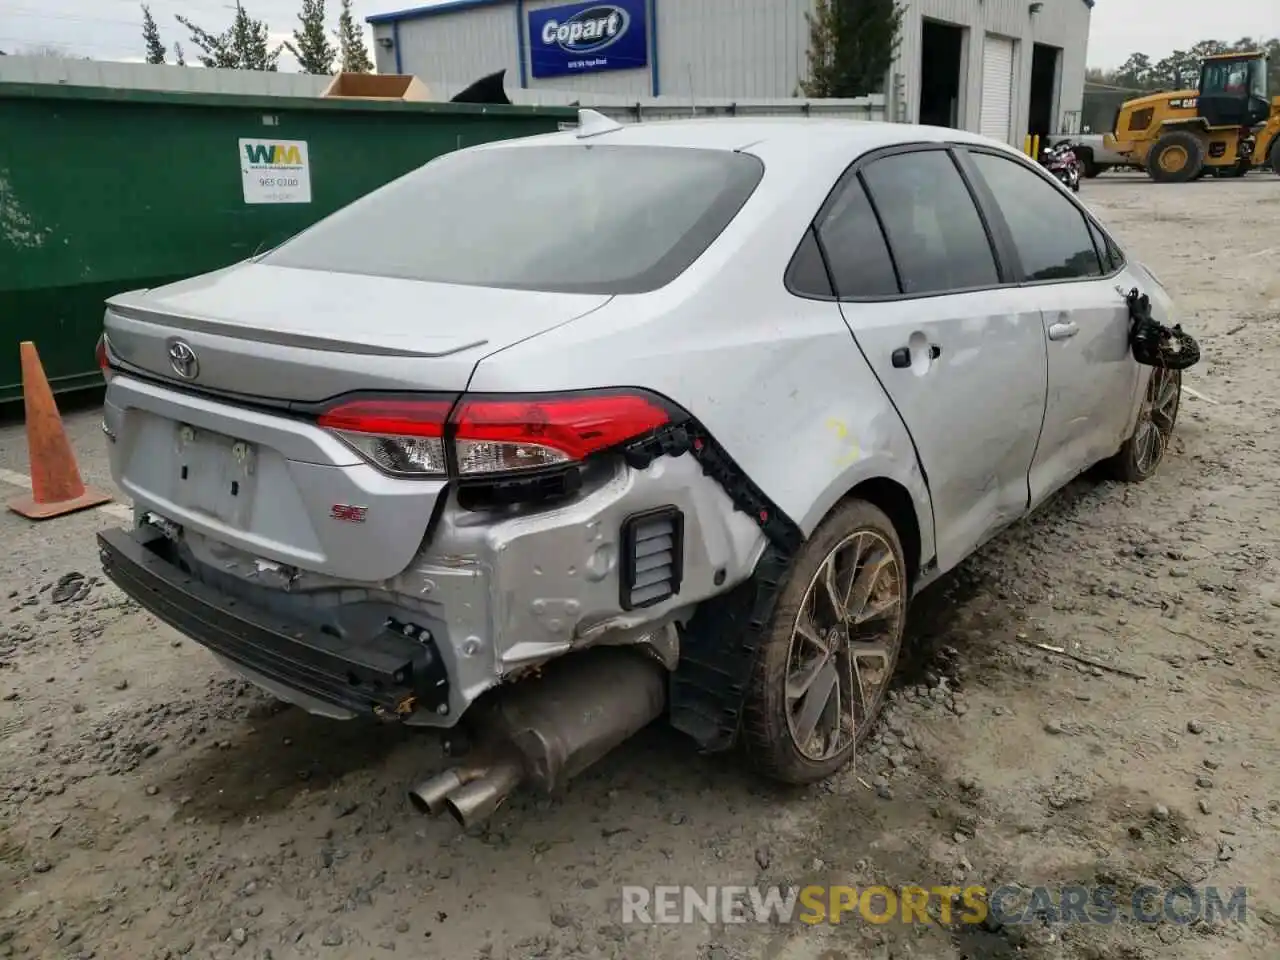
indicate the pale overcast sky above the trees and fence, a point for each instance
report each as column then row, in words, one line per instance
column 111, row 30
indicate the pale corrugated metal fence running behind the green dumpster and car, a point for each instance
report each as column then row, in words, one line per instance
column 195, row 80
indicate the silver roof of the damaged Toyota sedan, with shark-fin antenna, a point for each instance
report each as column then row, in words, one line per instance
column 776, row 136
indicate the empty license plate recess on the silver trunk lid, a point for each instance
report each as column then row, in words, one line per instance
column 214, row 474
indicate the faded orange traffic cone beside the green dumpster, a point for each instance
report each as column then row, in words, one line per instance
column 56, row 482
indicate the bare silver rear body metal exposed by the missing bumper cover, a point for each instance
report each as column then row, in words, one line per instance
column 501, row 593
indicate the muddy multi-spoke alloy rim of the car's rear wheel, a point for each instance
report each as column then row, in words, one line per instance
column 844, row 646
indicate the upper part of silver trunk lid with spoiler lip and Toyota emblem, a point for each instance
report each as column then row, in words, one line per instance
column 305, row 336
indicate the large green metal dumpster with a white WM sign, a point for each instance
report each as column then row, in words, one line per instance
column 109, row 190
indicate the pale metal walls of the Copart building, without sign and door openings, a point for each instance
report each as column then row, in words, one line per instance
column 744, row 49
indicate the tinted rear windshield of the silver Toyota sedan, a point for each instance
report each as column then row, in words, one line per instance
column 572, row 220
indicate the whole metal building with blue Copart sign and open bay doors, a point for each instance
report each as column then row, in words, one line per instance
column 999, row 67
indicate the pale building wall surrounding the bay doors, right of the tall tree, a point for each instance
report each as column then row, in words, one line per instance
column 1063, row 24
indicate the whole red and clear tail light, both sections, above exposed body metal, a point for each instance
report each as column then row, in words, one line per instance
column 493, row 436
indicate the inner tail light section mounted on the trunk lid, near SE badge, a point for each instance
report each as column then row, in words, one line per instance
column 401, row 437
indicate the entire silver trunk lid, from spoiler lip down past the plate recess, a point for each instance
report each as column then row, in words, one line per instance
column 272, row 484
